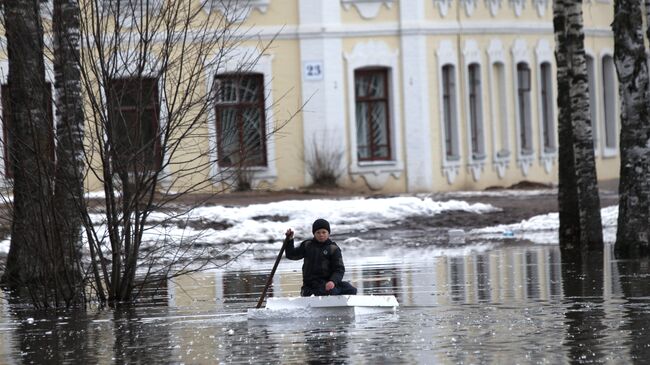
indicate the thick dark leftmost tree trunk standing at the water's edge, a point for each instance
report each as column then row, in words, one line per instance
column 29, row 267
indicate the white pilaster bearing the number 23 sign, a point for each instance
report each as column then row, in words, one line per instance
column 321, row 57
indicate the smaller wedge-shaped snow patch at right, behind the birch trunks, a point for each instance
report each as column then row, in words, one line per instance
column 542, row 229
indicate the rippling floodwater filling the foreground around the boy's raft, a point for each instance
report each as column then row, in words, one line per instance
column 508, row 305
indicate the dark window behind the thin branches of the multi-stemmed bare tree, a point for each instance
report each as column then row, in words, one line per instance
column 134, row 114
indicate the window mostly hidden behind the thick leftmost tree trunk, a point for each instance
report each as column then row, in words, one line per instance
column 7, row 119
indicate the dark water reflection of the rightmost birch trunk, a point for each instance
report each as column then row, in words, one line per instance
column 635, row 282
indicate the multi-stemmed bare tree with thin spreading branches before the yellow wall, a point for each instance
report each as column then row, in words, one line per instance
column 149, row 77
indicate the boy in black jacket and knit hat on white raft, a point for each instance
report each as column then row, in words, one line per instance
column 322, row 268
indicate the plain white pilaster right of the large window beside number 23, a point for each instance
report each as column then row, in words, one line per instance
column 417, row 139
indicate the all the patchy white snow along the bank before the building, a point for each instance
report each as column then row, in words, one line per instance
column 263, row 225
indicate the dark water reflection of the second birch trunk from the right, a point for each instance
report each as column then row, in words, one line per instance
column 583, row 290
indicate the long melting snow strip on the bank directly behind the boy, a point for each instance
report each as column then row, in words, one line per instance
column 268, row 222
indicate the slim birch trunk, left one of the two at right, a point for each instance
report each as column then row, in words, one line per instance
column 579, row 202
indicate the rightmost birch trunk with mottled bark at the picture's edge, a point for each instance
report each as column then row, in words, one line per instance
column 634, row 187
